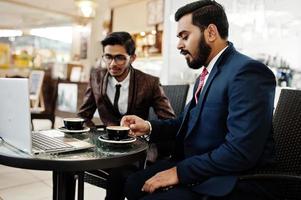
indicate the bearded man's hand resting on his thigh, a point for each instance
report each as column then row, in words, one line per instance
column 162, row 179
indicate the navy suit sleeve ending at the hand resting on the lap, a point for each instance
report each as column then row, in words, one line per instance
column 249, row 124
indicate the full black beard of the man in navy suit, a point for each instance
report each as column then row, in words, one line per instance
column 203, row 54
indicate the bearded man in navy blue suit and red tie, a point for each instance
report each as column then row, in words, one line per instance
column 226, row 128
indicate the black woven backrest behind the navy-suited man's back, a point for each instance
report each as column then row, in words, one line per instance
column 287, row 131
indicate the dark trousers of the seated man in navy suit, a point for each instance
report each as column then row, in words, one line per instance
column 244, row 190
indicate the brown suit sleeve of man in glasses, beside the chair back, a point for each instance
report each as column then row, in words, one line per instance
column 161, row 103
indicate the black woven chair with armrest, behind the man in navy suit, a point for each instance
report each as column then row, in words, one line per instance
column 286, row 174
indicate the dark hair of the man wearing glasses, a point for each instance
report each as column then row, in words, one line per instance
column 120, row 38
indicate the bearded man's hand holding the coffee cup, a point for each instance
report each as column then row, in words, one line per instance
column 137, row 125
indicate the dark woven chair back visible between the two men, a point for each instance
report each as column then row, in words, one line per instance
column 176, row 95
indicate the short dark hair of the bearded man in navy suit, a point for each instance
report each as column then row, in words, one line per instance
column 205, row 12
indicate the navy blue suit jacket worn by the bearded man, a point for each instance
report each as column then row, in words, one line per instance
column 229, row 131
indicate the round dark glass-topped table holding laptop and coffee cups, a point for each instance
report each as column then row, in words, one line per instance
column 104, row 155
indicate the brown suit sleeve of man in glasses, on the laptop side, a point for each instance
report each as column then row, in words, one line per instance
column 88, row 107
